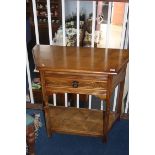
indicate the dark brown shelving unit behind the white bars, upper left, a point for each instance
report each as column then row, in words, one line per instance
column 41, row 6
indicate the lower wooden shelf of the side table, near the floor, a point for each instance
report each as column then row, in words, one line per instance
column 80, row 121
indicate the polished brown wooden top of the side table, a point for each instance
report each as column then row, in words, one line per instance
column 80, row 59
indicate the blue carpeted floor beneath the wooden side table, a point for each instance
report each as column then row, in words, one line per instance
column 62, row 144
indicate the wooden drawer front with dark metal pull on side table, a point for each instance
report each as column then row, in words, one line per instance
column 87, row 84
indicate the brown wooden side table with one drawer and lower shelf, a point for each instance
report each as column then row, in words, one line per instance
column 91, row 71
